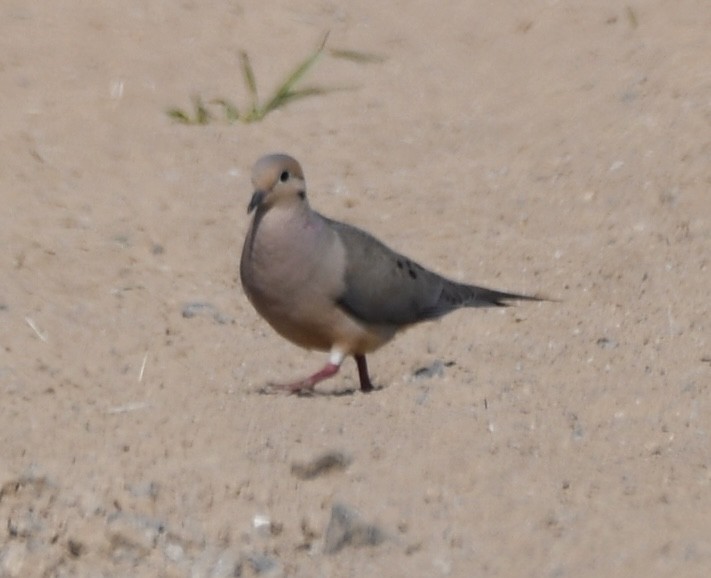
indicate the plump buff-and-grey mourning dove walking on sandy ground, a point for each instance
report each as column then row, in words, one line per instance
column 329, row 286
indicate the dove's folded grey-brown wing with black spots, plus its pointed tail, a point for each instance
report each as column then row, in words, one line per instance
column 384, row 287
